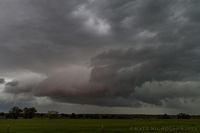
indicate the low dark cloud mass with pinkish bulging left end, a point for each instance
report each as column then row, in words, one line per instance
column 116, row 74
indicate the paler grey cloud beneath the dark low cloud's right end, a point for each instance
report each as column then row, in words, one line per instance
column 168, row 93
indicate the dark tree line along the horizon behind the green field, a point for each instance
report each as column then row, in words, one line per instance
column 29, row 113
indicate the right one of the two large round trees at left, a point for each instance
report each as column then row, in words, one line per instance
column 29, row 113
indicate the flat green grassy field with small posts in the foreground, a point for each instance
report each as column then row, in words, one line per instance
column 95, row 126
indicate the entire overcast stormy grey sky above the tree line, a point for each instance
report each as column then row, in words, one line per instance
column 100, row 56
